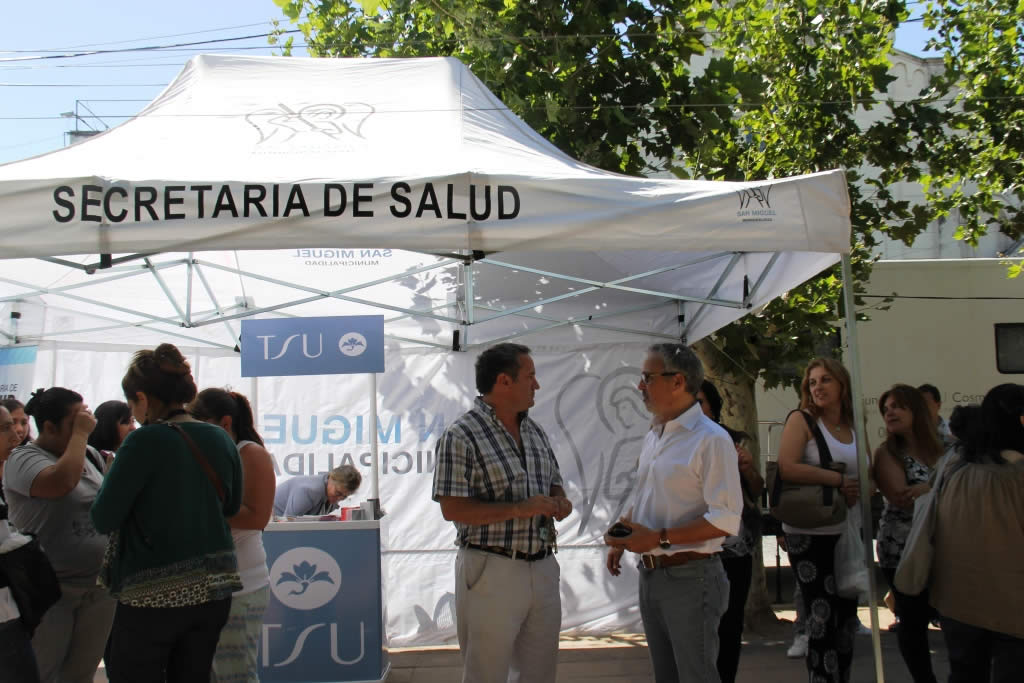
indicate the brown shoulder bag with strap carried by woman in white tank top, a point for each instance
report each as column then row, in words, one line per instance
column 807, row 505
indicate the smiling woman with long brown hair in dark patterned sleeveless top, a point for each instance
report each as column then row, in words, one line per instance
column 904, row 465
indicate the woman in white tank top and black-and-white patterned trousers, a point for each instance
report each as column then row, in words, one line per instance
column 832, row 621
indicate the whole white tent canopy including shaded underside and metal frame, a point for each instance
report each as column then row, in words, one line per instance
column 304, row 187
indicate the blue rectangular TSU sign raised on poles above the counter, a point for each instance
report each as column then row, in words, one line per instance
column 336, row 346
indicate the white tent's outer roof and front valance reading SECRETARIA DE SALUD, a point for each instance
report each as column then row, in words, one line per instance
column 392, row 126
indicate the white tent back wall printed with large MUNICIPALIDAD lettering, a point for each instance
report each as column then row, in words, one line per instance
column 588, row 404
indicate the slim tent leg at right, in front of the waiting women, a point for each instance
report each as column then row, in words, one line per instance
column 854, row 361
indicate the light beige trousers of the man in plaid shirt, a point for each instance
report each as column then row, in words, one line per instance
column 508, row 616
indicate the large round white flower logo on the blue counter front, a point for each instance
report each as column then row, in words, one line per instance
column 306, row 579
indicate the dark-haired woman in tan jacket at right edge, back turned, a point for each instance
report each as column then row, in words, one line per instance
column 978, row 566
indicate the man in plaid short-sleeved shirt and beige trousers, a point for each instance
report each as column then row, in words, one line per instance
column 497, row 479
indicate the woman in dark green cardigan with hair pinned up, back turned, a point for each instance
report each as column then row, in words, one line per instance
column 165, row 501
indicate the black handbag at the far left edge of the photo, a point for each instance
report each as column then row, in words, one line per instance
column 32, row 582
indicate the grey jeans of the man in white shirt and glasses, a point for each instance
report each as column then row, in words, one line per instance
column 681, row 608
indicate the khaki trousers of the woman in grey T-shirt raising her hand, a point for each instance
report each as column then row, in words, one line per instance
column 70, row 642
